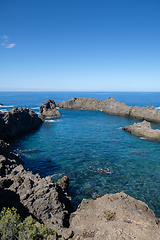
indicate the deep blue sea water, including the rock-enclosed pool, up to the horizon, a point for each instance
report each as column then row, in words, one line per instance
column 81, row 142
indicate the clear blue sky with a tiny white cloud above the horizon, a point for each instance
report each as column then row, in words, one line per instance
column 80, row 45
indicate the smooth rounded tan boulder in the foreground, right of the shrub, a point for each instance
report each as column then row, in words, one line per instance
column 114, row 216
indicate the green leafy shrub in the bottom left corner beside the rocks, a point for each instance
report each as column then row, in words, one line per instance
column 11, row 227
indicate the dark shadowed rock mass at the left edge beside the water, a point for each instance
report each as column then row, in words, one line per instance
column 18, row 121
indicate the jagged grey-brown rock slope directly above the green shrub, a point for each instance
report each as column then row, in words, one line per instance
column 44, row 199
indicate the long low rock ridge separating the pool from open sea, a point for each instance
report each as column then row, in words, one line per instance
column 111, row 106
